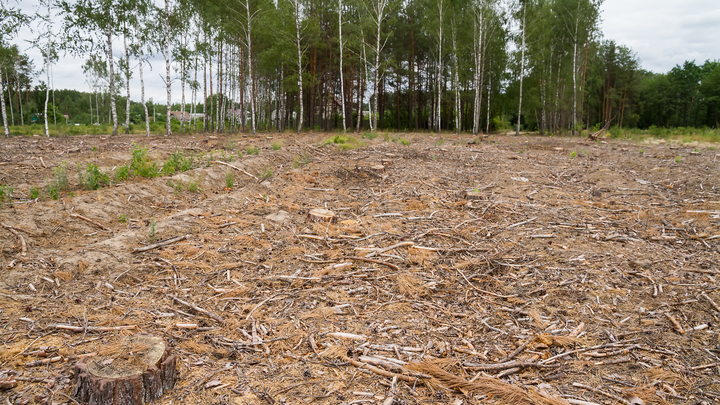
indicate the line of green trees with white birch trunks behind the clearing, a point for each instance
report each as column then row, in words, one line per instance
column 464, row 65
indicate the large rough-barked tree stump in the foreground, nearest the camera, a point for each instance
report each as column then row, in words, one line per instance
column 133, row 372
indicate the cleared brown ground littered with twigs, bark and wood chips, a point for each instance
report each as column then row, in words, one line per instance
column 560, row 277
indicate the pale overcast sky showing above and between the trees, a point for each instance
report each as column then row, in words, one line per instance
column 663, row 33
